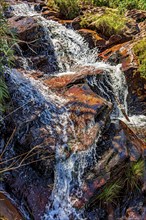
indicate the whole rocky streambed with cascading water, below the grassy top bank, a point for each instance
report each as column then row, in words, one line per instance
column 75, row 124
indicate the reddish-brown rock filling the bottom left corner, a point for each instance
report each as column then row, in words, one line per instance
column 7, row 209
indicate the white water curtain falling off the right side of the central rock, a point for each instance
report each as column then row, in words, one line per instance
column 112, row 86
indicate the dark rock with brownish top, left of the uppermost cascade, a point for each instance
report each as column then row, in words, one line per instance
column 32, row 44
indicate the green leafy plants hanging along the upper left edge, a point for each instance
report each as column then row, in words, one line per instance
column 6, row 54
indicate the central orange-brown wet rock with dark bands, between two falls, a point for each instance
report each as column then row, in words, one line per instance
column 85, row 114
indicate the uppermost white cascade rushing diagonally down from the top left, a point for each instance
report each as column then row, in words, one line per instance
column 69, row 47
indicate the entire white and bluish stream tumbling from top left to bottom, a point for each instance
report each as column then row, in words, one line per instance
column 67, row 52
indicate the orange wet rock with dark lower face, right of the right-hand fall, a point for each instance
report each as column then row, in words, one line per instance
column 124, row 53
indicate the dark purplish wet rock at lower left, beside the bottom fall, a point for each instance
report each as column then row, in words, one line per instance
column 30, row 190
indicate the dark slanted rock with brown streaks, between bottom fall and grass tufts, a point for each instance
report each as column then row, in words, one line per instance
column 122, row 144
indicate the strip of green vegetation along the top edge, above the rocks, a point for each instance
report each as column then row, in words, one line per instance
column 71, row 8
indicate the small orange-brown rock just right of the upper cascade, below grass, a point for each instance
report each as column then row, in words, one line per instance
column 92, row 38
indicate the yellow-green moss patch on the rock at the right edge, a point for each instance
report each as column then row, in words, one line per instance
column 140, row 52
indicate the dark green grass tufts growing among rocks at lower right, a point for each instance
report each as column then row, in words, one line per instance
column 130, row 178
